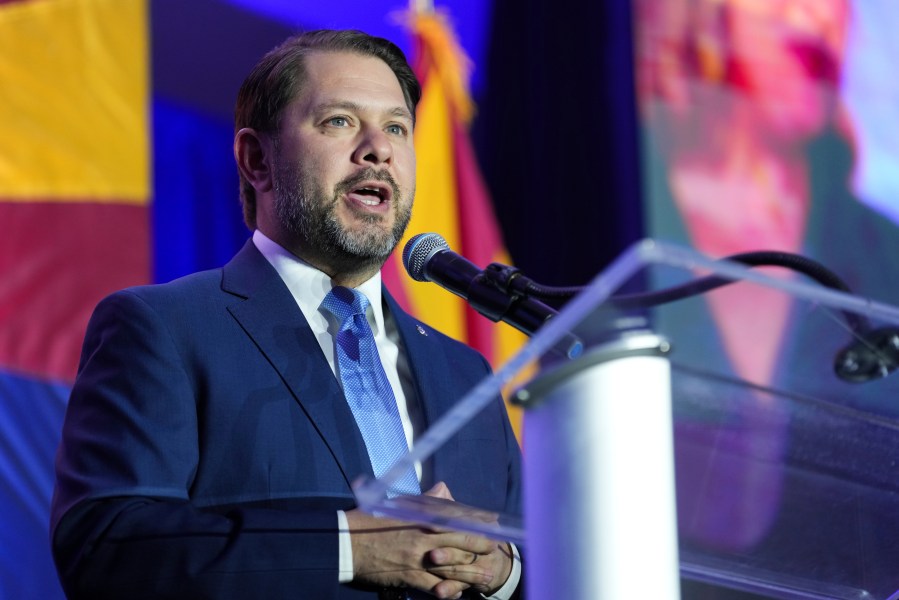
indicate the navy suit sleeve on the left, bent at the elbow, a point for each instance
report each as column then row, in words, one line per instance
column 123, row 525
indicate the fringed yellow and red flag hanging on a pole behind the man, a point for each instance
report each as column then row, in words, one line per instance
column 451, row 197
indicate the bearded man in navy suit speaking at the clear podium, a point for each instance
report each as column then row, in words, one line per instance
column 218, row 421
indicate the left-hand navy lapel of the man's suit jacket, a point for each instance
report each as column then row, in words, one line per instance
column 267, row 312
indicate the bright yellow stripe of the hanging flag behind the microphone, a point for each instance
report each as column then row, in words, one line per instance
column 435, row 206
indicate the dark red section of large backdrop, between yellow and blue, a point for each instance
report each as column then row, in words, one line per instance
column 57, row 260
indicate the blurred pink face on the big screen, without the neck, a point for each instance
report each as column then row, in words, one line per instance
column 774, row 62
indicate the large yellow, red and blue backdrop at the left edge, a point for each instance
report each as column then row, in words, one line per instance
column 74, row 195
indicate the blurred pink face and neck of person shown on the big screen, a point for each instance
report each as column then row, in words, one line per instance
column 734, row 94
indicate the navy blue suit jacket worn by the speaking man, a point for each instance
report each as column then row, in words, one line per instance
column 207, row 445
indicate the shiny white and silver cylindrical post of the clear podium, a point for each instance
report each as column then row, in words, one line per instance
column 599, row 476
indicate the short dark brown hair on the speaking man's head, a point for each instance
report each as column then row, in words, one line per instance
column 278, row 78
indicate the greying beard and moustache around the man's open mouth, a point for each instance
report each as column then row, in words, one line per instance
column 305, row 211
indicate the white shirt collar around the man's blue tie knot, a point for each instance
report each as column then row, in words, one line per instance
column 309, row 286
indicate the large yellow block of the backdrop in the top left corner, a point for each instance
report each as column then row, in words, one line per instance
column 74, row 101
